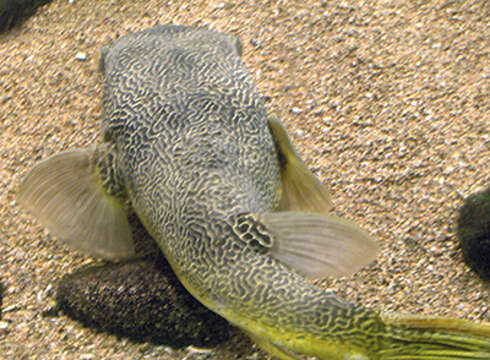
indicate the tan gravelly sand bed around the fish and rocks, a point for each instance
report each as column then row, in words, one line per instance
column 387, row 103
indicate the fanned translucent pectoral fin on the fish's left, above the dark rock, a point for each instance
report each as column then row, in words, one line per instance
column 66, row 194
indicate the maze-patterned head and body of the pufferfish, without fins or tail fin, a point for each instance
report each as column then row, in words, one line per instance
column 197, row 160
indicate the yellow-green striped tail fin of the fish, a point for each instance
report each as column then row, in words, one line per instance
column 413, row 337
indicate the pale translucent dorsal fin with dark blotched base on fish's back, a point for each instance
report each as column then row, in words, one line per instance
column 318, row 245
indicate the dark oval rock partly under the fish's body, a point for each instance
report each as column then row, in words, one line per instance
column 141, row 299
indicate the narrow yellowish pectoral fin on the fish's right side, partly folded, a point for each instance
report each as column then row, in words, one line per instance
column 301, row 189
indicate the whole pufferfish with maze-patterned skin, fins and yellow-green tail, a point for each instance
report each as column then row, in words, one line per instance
column 219, row 186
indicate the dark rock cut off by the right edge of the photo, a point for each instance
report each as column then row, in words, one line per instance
column 474, row 232
